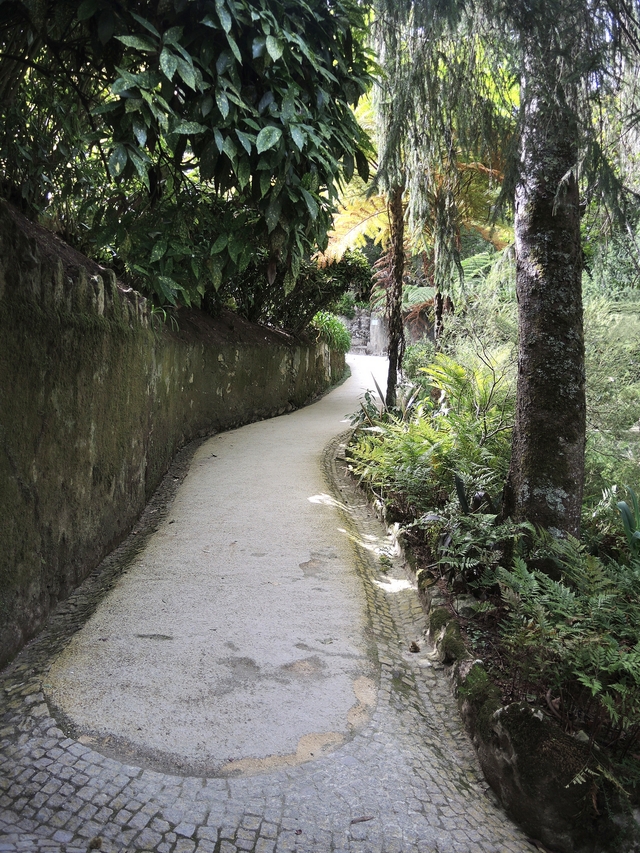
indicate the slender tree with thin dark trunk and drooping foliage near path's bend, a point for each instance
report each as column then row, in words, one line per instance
column 430, row 119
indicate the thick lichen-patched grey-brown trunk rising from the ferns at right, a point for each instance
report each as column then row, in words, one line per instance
column 545, row 480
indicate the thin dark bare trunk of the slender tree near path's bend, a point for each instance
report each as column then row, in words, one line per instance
column 394, row 298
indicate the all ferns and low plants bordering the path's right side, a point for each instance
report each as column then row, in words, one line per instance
column 567, row 639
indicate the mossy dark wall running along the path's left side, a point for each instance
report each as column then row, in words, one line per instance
column 96, row 396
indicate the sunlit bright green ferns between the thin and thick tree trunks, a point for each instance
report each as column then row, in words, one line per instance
column 459, row 421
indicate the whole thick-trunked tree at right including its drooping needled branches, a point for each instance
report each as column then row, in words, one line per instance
column 563, row 52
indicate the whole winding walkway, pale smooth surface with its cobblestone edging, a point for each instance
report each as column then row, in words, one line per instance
column 237, row 676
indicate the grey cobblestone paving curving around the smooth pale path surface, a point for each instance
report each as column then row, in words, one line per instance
column 406, row 783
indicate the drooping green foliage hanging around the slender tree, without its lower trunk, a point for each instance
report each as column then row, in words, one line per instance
column 441, row 121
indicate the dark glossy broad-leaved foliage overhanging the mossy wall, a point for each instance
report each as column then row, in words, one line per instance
column 133, row 122
